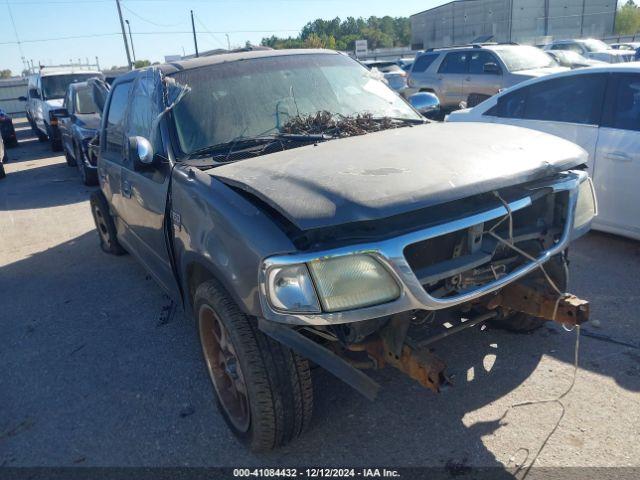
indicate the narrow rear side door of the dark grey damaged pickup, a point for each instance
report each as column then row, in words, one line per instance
column 112, row 150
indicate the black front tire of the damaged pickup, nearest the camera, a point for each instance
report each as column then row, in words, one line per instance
column 278, row 393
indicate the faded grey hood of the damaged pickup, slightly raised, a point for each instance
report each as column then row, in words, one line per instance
column 396, row 171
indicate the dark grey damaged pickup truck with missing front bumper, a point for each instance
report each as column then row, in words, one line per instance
column 301, row 211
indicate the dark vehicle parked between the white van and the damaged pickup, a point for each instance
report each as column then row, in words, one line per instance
column 79, row 120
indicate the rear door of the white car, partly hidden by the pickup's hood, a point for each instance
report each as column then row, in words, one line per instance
column 569, row 107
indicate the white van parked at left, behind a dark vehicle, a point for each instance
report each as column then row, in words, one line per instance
column 45, row 93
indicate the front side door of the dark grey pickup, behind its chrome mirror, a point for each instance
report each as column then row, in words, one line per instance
column 145, row 188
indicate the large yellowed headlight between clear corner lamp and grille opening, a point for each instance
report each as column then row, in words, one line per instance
column 352, row 281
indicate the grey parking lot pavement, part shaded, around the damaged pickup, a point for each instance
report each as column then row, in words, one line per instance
column 98, row 369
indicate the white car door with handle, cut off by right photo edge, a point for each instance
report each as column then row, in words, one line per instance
column 617, row 161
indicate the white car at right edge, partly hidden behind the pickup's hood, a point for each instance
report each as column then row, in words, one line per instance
column 597, row 108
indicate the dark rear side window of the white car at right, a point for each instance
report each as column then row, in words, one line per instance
column 575, row 99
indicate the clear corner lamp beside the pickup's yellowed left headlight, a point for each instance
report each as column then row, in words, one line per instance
column 290, row 288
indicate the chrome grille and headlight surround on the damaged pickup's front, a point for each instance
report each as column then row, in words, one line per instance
column 390, row 253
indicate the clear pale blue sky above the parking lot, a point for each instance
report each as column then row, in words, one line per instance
column 243, row 19
